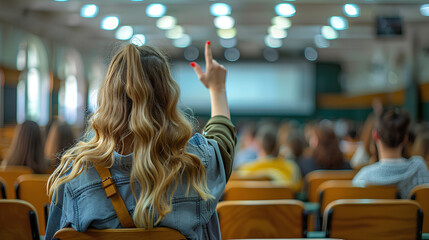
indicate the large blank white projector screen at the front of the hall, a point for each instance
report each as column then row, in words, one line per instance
column 283, row 88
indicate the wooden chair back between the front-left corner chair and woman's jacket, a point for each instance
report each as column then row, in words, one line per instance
column 32, row 188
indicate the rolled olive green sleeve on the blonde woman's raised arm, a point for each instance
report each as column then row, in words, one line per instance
column 221, row 129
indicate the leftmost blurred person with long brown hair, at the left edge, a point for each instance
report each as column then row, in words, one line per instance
column 27, row 148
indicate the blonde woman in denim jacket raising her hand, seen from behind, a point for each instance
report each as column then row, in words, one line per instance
column 165, row 176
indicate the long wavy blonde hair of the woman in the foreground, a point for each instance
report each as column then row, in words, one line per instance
column 138, row 105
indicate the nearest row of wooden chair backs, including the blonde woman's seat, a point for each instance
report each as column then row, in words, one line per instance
column 343, row 219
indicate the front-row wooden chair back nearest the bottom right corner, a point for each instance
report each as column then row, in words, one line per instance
column 373, row 219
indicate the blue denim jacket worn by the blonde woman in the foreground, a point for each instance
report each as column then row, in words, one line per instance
column 82, row 202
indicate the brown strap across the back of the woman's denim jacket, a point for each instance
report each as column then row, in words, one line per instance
column 117, row 201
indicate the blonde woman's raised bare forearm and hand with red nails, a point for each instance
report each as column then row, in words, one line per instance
column 214, row 80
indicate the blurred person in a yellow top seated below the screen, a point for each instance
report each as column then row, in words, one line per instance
column 269, row 164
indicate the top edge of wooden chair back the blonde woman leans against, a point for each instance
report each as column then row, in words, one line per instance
column 121, row 233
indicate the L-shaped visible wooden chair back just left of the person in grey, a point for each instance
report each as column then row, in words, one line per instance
column 315, row 178
